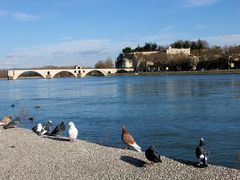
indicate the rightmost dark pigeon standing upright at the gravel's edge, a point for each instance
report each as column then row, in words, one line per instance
column 202, row 153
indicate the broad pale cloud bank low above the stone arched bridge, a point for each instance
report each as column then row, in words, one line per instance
column 83, row 52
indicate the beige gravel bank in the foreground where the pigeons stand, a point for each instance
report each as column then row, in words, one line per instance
column 24, row 155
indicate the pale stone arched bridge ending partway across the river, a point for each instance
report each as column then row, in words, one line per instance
column 77, row 72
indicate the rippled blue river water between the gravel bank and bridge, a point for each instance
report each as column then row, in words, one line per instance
column 170, row 112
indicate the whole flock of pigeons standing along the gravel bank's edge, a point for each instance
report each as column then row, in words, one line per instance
column 151, row 153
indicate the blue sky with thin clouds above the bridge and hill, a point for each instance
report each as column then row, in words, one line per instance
column 37, row 33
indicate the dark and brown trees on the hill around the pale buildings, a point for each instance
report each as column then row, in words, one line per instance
column 202, row 56
